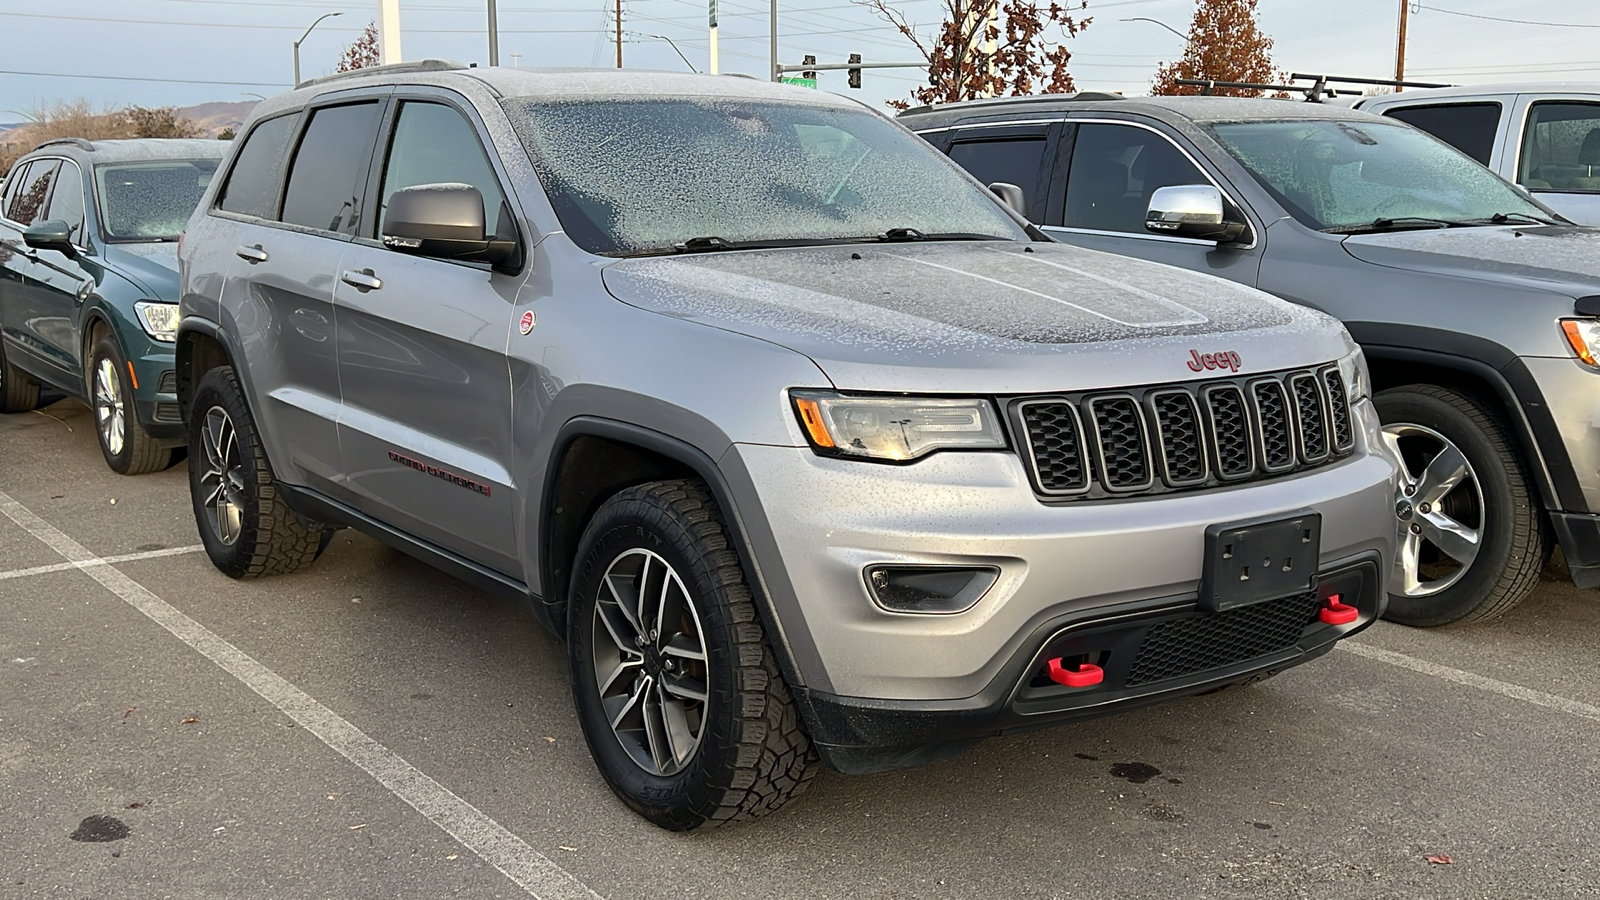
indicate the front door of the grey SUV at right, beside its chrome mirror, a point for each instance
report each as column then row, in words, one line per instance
column 1113, row 171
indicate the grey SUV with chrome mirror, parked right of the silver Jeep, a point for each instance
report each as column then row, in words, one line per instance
column 1474, row 303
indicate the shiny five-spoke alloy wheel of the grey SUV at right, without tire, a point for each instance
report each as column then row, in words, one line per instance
column 1439, row 512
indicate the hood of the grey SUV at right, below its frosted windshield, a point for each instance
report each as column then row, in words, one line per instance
column 1562, row 259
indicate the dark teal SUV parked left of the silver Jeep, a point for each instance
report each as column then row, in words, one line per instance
column 89, row 284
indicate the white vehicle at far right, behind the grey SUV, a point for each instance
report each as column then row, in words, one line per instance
column 1543, row 137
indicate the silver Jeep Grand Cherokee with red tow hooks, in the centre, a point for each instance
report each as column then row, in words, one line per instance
column 807, row 444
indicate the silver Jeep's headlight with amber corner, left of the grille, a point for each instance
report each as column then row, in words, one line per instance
column 895, row 428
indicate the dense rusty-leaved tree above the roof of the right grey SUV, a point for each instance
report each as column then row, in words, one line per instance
column 1225, row 46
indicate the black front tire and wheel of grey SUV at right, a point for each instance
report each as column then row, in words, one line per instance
column 1433, row 585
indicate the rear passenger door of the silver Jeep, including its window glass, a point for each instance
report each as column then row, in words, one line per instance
column 290, row 236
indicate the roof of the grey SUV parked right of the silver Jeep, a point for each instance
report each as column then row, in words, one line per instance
column 1191, row 108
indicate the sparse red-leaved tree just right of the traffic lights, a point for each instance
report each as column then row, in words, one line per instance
column 991, row 49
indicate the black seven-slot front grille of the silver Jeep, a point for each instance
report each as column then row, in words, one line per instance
column 1172, row 438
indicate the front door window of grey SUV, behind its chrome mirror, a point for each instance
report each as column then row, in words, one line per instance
column 1114, row 172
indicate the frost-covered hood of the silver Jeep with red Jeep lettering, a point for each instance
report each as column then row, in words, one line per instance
column 982, row 318
